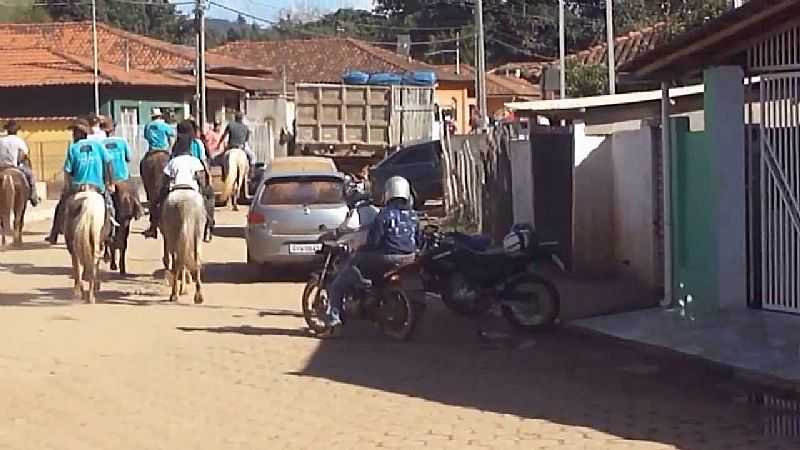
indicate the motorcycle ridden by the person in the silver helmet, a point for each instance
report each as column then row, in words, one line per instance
column 385, row 304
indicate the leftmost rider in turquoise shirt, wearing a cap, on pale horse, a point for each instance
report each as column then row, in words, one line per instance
column 87, row 166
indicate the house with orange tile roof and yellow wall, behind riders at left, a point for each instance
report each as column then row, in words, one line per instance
column 47, row 79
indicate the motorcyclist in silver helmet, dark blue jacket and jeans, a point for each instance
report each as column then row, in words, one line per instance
column 391, row 241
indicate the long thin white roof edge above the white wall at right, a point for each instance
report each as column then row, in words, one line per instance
column 609, row 100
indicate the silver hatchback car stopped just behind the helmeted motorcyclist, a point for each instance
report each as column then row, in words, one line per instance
column 287, row 213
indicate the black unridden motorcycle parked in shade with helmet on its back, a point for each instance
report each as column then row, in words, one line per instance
column 471, row 278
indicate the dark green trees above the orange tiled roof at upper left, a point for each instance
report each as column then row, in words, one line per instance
column 160, row 19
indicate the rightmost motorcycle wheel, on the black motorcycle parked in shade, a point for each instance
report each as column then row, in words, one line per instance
column 531, row 303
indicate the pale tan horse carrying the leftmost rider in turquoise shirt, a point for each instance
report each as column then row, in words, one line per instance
column 85, row 233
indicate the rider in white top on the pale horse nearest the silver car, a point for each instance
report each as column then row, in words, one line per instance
column 185, row 170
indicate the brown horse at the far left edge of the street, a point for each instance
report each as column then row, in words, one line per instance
column 14, row 193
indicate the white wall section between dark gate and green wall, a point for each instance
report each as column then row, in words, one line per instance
column 614, row 210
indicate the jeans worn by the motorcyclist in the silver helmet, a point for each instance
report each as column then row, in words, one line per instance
column 351, row 276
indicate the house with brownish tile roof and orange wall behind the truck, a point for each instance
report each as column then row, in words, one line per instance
column 325, row 60
